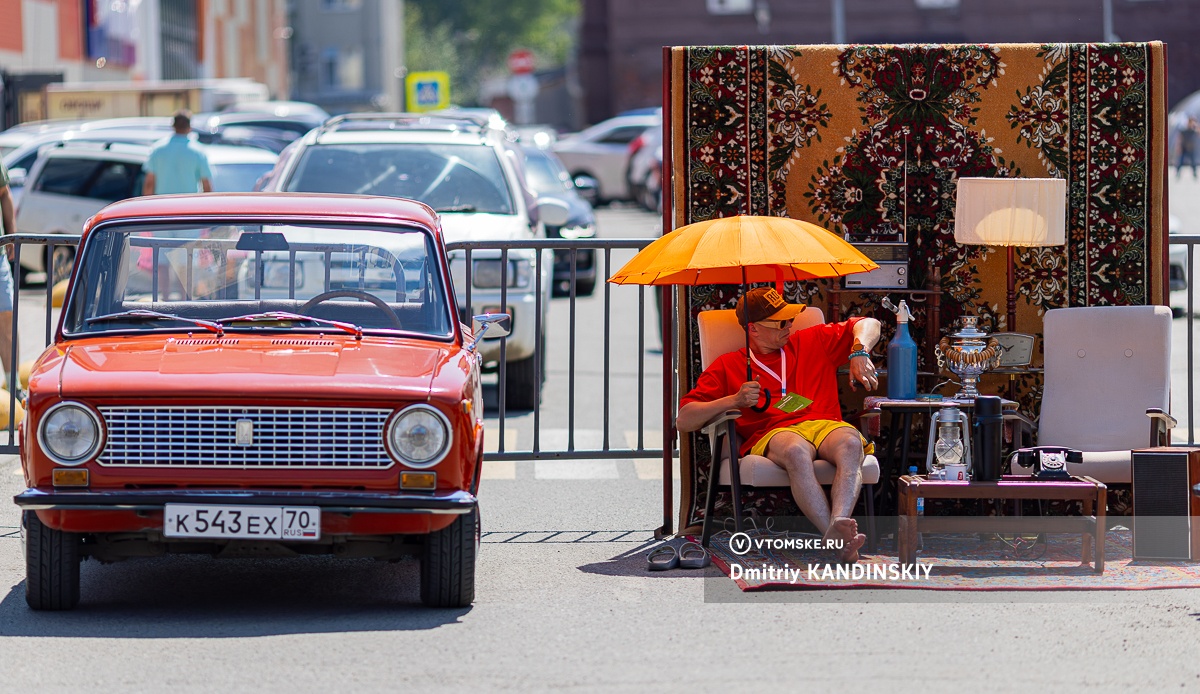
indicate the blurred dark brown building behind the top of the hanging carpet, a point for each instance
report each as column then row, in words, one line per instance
column 621, row 46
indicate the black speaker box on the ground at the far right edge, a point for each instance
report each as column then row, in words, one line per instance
column 1166, row 513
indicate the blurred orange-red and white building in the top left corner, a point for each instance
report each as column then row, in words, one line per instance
column 92, row 41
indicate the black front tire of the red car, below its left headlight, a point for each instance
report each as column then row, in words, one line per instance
column 52, row 566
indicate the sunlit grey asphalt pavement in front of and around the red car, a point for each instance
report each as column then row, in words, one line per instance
column 565, row 602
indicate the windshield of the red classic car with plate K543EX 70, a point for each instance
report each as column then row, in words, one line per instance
column 230, row 278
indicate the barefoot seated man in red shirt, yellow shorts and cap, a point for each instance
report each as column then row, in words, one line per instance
column 803, row 364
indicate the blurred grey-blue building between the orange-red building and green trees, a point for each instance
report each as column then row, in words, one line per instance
column 349, row 56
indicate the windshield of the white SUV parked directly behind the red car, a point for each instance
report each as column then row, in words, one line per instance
column 446, row 177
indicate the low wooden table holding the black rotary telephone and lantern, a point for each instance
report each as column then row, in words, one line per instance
column 1091, row 525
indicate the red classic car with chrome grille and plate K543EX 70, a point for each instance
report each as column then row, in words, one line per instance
column 257, row 375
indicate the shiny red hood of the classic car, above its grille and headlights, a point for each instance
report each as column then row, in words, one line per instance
column 309, row 367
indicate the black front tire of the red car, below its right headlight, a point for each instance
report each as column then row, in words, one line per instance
column 448, row 564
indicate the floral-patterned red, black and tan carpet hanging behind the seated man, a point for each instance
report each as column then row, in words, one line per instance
column 871, row 141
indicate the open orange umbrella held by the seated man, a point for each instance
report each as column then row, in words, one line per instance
column 740, row 250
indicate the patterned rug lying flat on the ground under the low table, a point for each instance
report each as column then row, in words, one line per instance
column 964, row 564
